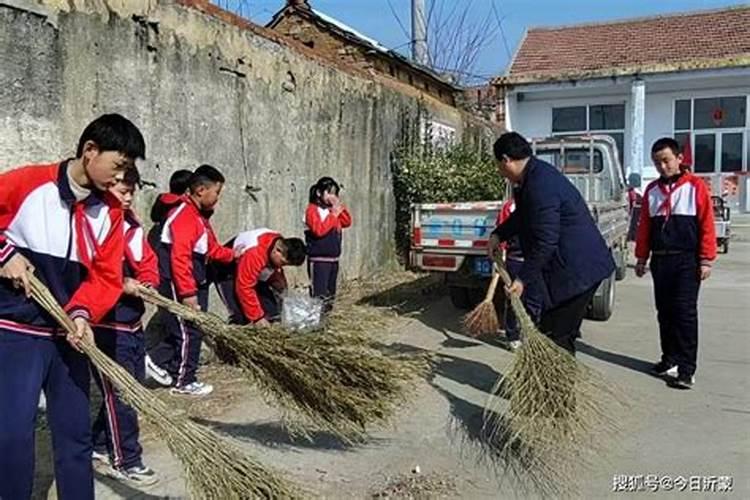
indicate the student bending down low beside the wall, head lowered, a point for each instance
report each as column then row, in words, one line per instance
column 251, row 292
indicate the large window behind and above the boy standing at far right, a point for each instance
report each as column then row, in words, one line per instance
column 717, row 129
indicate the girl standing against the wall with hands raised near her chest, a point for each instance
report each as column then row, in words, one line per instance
column 325, row 218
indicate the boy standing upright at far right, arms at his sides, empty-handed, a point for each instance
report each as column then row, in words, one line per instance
column 676, row 230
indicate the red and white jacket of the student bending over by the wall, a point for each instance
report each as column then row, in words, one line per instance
column 253, row 267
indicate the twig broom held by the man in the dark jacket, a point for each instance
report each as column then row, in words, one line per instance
column 560, row 416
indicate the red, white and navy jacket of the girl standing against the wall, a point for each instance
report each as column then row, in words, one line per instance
column 323, row 232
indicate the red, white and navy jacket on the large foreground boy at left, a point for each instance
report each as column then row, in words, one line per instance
column 76, row 247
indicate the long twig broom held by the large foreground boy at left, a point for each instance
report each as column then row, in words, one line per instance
column 214, row 467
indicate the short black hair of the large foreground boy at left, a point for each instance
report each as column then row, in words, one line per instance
column 113, row 132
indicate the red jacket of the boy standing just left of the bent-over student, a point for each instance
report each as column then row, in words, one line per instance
column 190, row 242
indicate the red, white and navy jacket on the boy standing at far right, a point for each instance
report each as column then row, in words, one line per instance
column 677, row 216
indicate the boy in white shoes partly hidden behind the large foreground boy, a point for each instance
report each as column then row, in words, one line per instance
column 120, row 336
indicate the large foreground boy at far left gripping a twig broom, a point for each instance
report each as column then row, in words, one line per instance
column 59, row 222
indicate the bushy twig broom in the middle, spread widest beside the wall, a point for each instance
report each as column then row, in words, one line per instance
column 332, row 380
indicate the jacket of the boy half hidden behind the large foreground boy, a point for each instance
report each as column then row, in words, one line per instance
column 139, row 263
